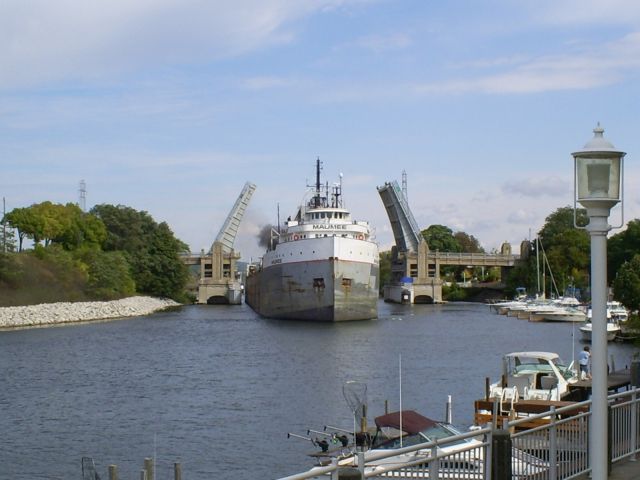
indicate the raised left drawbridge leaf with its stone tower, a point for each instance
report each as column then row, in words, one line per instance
column 219, row 281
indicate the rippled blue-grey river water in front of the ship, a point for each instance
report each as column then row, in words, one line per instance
column 218, row 388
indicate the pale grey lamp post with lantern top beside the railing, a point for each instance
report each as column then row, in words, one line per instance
column 598, row 187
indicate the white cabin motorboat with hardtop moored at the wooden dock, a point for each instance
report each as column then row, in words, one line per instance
column 533, row 376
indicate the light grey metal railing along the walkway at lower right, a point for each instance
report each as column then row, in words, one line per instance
column 556, row 449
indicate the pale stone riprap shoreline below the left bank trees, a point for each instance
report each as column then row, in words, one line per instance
column 61, row 313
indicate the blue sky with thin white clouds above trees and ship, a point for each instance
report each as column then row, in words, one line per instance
column 170, row 106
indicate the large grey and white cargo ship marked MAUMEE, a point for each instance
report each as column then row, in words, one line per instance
column 322, row 265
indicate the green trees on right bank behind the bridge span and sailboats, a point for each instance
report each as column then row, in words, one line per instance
column 560, row 251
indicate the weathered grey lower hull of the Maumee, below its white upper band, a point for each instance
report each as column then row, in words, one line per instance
column 324, row 290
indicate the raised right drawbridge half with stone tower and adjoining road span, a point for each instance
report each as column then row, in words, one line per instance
column 415, row 271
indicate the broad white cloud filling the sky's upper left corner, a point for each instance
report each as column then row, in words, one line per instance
column 43, row 41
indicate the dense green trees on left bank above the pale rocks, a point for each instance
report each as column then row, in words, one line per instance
column 110, row 252
